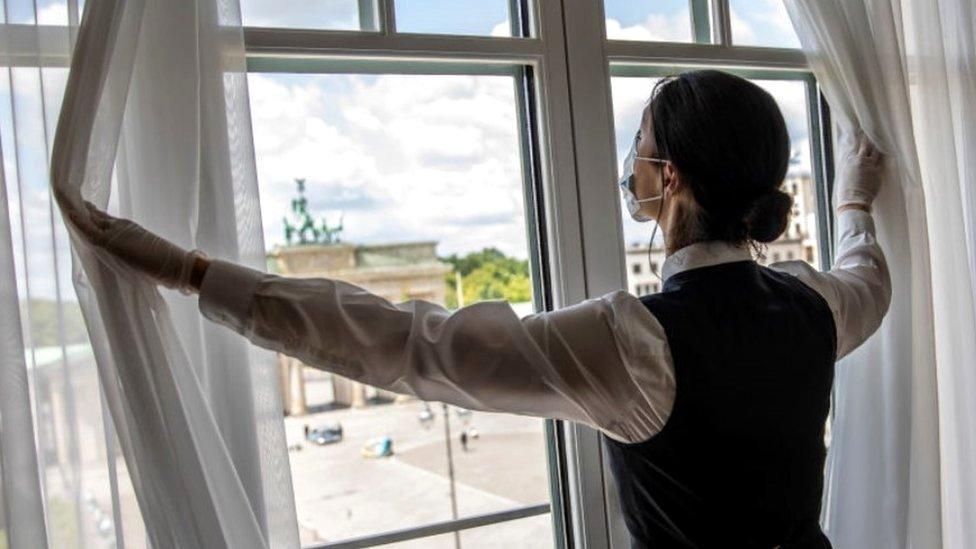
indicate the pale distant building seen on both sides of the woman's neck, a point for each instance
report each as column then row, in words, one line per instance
column 799, row 242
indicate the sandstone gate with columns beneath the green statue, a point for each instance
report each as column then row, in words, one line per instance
column 397, row 272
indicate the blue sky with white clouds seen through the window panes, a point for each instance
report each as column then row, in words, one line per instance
column 433, row 157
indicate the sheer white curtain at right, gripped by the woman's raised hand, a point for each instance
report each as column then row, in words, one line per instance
column 901, row 468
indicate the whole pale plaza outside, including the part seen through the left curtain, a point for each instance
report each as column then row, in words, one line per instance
column 339, row 493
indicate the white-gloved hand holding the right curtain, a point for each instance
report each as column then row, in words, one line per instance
column 859, row 175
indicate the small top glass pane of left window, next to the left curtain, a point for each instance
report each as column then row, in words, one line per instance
column 306, row 14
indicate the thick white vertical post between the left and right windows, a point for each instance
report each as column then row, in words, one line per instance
column 593, row 526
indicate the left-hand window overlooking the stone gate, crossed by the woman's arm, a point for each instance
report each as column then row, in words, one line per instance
column 415, row 177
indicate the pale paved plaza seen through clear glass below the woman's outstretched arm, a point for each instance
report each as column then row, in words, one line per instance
column 341, row 494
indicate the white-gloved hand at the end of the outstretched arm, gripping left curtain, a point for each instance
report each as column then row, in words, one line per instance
column 160, row 259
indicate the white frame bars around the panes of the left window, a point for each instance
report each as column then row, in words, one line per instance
column 535, row 63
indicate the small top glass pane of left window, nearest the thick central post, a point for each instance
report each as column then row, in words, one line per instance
column 481, row 18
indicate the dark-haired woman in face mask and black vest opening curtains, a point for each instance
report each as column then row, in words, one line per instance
column 713, row 394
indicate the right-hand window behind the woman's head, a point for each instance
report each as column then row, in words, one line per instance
column 635, row 61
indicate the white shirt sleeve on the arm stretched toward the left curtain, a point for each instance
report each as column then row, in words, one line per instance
column 604, row 362
